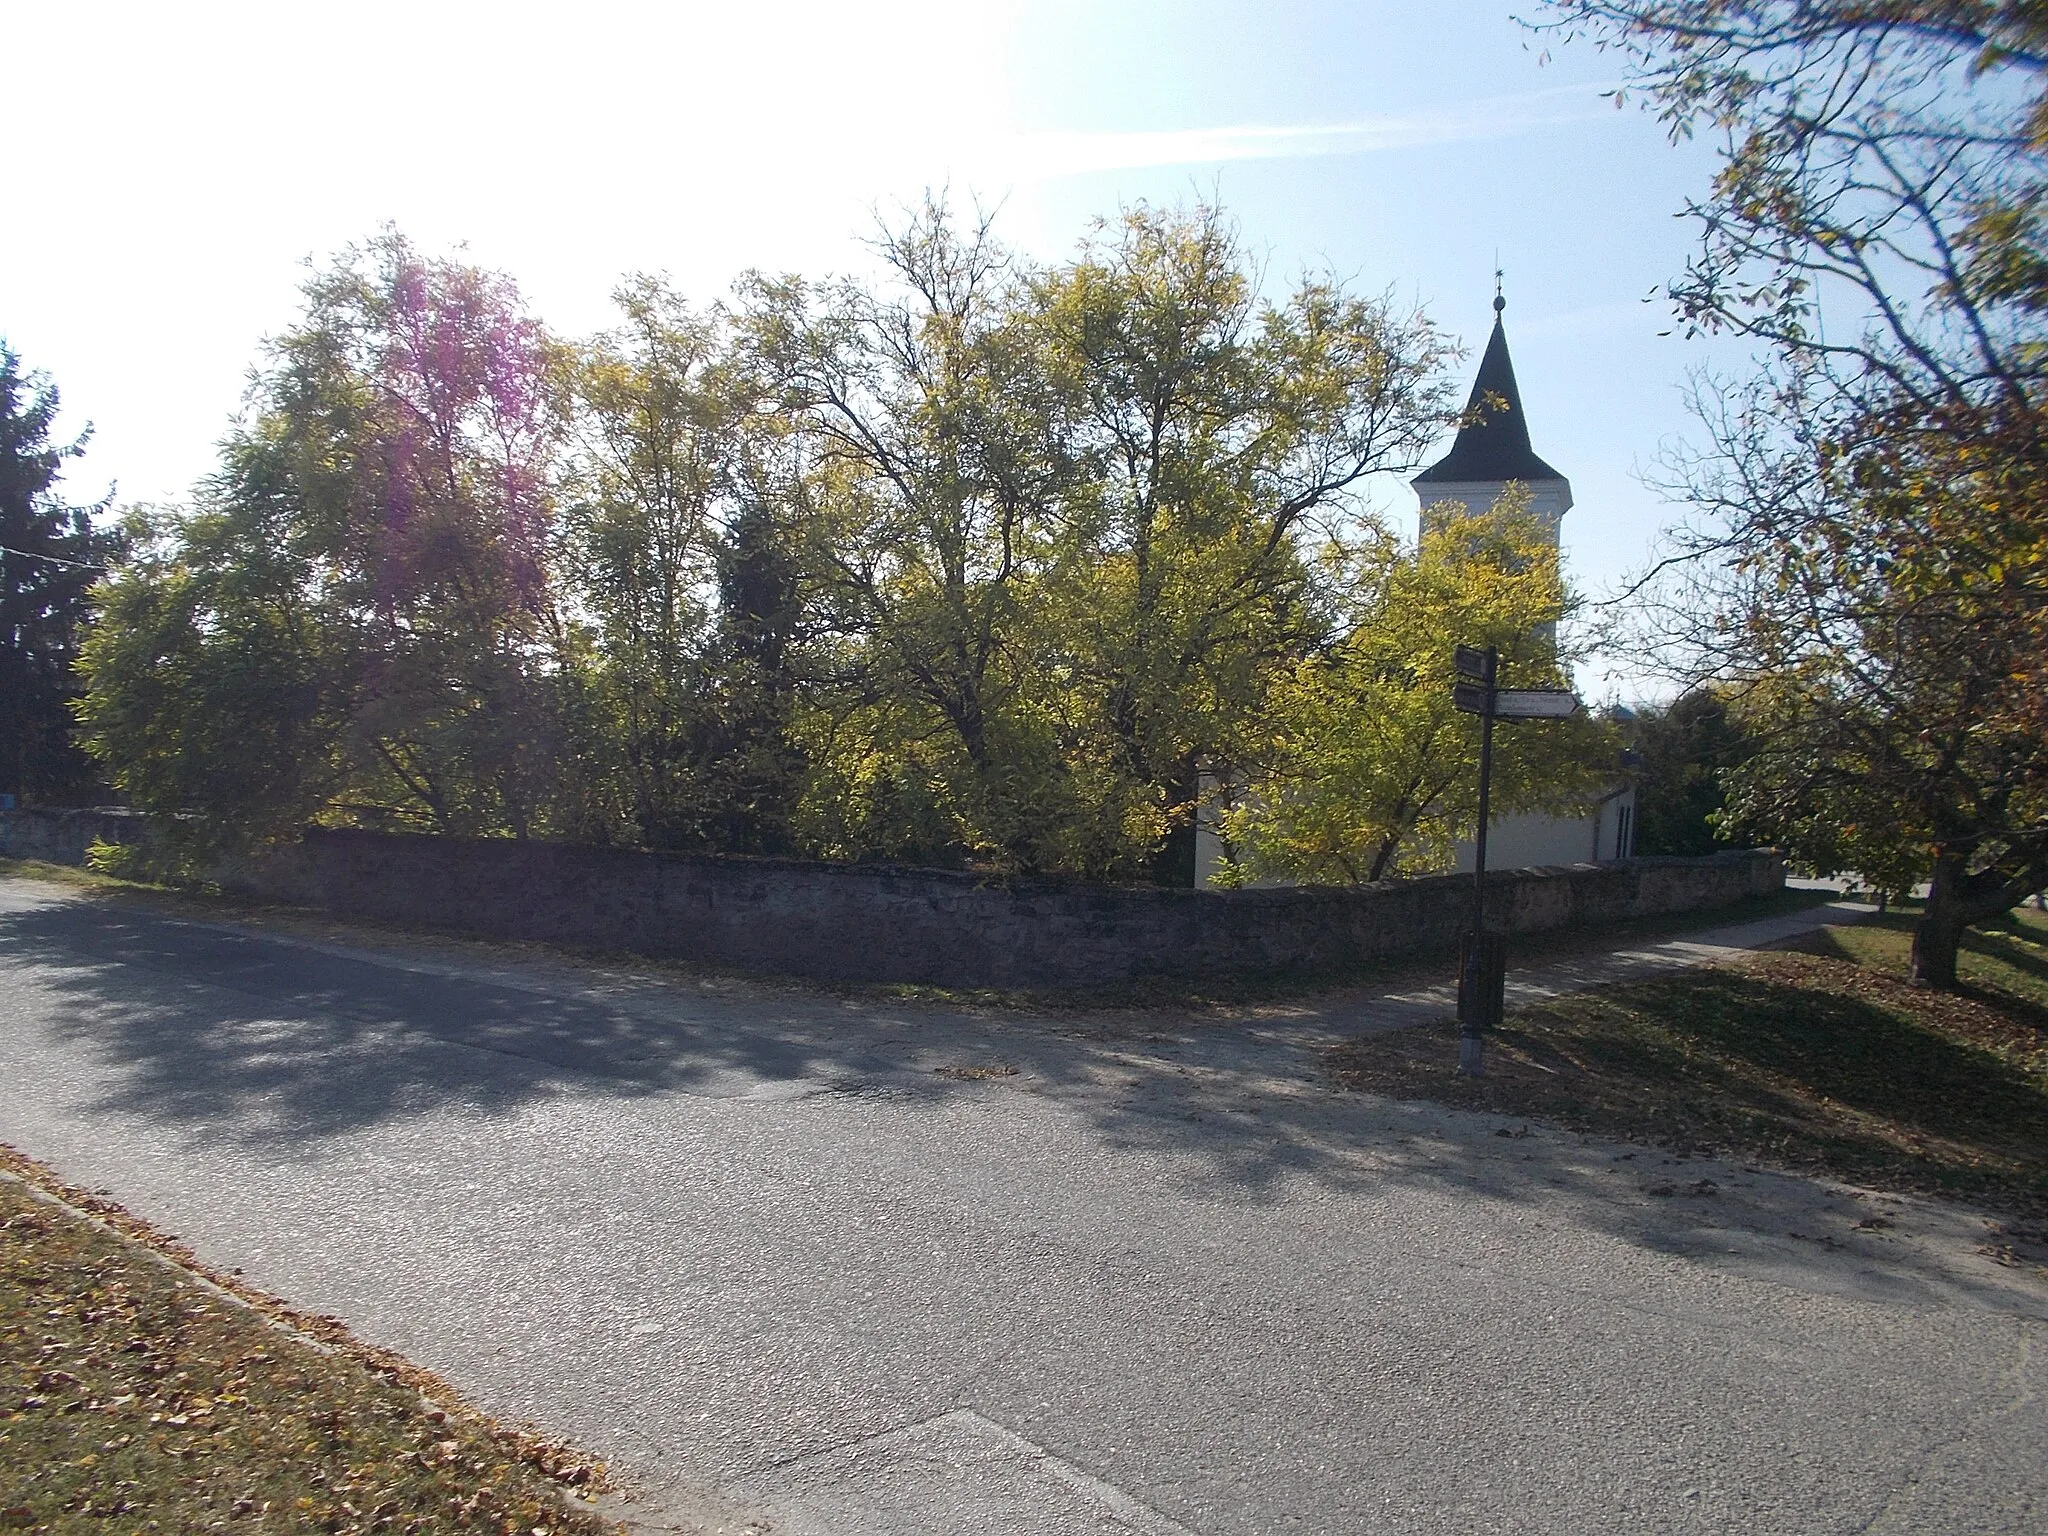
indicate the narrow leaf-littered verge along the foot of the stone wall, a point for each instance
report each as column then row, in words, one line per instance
column 1140, row 996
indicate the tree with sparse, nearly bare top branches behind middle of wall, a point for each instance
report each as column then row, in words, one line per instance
column 935, row 460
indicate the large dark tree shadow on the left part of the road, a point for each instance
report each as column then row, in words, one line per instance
column 280, row 1041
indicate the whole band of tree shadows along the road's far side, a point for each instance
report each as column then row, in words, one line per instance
column 243, row 1035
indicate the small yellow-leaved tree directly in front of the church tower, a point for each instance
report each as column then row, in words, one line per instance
column 1367, row 769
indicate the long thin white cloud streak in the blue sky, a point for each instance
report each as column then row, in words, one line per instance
column 1041, row 157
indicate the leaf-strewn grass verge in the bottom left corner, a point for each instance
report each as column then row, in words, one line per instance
column 138, row 1394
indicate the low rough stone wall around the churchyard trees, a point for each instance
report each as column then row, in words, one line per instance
column 859, row 923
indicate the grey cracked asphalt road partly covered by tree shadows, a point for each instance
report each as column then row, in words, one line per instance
column 822, row 1267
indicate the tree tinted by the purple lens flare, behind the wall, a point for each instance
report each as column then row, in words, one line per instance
column 421, row 407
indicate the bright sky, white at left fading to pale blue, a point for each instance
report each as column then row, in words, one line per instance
column 181, row 165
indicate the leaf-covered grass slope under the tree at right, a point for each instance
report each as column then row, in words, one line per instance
column 1820, row 1060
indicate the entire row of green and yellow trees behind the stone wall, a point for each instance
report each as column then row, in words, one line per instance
column 978, row 562
